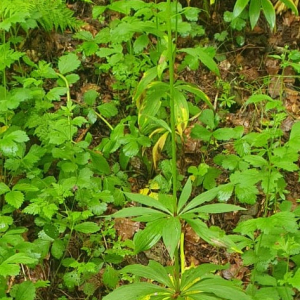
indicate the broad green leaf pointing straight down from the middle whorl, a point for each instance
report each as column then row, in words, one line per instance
column 171, row 234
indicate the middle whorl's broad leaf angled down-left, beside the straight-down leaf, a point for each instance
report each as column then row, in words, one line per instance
column 147, row 238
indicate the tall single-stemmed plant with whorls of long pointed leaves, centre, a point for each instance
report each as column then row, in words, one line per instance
column 166, row 216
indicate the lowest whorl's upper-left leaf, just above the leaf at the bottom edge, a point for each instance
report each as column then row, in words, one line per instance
column 154, row 271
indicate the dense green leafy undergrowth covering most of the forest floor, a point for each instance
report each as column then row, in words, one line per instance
column 62, row 189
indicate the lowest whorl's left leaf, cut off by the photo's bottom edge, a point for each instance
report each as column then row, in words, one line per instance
column 136, row 291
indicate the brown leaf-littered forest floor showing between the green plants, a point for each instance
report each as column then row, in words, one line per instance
column 243, row 68
